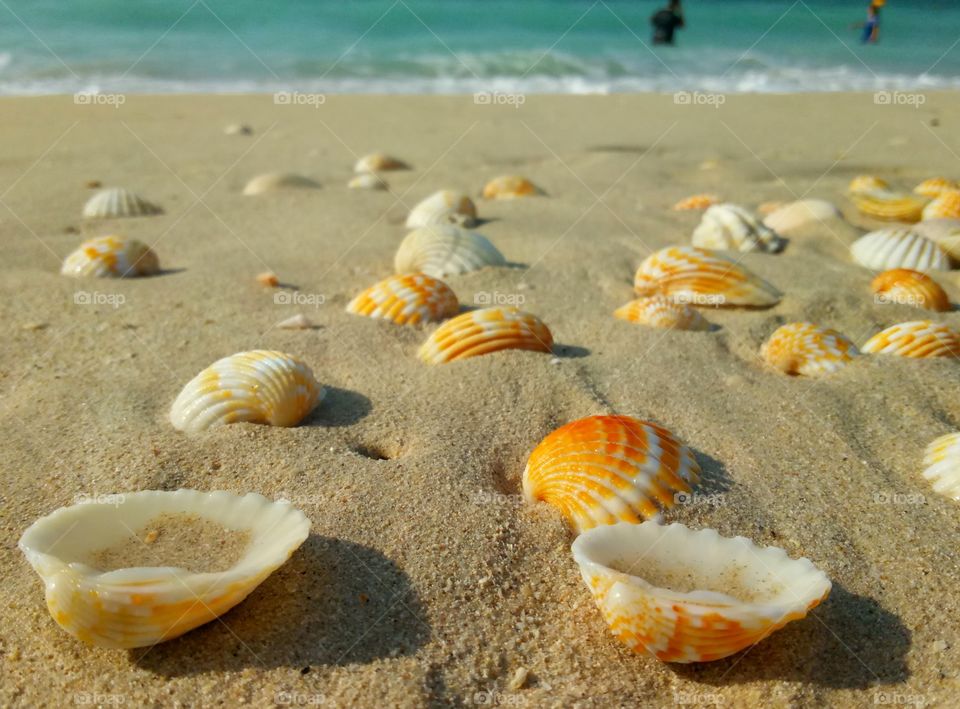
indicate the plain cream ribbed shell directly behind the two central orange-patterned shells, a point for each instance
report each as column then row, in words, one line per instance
column 441, row 251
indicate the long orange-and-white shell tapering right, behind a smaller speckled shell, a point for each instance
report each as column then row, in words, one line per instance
column 699, row 277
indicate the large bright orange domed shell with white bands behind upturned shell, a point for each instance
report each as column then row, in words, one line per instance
column 602, row 470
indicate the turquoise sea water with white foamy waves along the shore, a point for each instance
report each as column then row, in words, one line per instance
column 461, row 46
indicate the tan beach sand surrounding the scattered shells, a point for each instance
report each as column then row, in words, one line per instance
column 425, row 580
